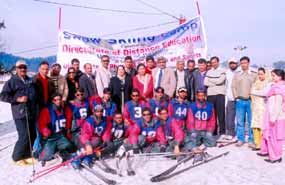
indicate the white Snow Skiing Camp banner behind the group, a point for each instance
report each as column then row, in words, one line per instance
column 182, row 43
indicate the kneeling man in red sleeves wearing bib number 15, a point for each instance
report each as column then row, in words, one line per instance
column 54, row 126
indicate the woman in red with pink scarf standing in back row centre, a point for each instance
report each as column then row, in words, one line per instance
column 143, row 82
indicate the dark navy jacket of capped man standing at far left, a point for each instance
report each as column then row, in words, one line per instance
column 15, row 87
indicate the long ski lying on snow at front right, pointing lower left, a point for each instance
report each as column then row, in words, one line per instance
column 164, row 177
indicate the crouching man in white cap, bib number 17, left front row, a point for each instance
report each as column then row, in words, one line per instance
column 95, row 132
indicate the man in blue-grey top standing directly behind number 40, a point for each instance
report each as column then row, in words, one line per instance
column 200, row 74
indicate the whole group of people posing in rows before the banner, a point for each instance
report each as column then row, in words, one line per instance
column 148, row 106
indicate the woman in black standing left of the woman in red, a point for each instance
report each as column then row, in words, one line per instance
column 120, row 84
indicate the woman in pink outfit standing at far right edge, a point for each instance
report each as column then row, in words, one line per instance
column 273, row 130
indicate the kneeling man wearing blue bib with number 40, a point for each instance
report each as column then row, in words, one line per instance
column 200, row 123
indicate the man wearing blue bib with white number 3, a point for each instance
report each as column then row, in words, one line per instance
column 133, row 108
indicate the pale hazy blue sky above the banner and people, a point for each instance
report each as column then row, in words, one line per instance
column 257, row 24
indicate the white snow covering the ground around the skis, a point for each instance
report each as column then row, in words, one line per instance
column 240, row 167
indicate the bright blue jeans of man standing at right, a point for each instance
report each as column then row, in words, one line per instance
column 243, row 109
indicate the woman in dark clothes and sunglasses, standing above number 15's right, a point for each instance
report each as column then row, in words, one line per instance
column 71, row 83
